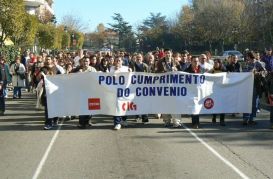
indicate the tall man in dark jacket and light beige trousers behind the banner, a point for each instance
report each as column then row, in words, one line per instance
column 168, row 64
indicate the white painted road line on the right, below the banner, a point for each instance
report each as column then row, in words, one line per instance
column 223, row 159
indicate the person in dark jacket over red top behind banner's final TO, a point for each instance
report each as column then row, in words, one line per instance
column 195, row 68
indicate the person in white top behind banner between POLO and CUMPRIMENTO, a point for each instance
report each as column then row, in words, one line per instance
column 118, row 67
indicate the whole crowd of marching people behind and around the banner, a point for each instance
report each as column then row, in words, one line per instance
column 27, row 71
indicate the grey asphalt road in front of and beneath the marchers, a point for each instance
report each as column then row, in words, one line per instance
column 139, row 151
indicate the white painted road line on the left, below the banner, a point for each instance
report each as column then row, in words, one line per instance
column 42, row 162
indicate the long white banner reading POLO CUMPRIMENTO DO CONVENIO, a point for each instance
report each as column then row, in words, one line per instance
column 148, row 93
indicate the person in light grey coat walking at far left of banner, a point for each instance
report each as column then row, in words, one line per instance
column 18, row 70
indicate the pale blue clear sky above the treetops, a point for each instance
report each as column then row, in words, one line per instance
column 93, row 12
